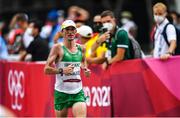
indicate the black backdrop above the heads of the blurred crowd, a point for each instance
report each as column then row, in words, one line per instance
column 141, row 11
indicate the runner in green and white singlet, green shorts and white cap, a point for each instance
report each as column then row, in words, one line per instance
column 68, row 86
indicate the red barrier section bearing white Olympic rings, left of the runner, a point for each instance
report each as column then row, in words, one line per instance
column 26, row 90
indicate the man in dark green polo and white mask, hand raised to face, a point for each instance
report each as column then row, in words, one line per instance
column 118, row 46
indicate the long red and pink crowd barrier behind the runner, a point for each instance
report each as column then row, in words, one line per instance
column 148, row 87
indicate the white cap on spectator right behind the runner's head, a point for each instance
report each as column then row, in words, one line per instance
column 85, row 31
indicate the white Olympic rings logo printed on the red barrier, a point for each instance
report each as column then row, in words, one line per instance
column 16, row 82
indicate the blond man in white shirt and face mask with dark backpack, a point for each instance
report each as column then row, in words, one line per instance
column 161, row 48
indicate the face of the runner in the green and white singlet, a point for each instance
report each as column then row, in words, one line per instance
column 69, row 33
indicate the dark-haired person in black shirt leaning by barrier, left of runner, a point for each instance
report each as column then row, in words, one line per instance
column 38, row 48
